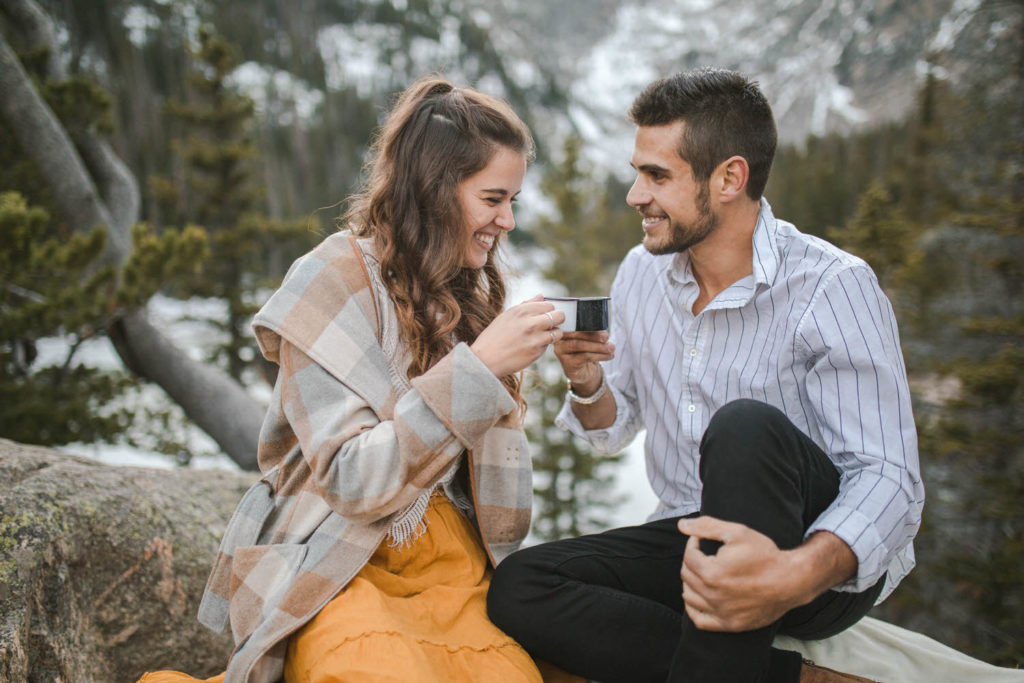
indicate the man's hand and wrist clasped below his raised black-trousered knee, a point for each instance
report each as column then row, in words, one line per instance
column 750, row 583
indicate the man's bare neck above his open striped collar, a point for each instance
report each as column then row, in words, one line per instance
column 728, row 255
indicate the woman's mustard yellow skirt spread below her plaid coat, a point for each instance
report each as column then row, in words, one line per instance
column 414, row 615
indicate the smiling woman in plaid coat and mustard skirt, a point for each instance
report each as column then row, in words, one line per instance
column 396, row 466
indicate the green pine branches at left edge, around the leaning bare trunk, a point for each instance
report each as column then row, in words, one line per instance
column 54, row 285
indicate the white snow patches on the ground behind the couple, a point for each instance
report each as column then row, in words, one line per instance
column 182, row 321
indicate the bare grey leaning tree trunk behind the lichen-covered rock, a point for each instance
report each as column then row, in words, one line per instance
column 93, row 188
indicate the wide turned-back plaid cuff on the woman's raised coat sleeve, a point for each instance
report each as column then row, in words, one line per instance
column 464, row 395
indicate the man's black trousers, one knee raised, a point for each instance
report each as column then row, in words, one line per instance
column 610, row 607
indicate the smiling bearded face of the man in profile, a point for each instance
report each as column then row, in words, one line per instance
column 676, row 208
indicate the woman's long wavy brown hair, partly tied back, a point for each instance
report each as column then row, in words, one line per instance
column 436, row 137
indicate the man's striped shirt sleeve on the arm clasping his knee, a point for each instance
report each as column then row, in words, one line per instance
column 862, row 403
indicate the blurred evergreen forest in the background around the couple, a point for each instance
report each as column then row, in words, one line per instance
column 234, row 190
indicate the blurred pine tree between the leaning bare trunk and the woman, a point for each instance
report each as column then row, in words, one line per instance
column 218, row 191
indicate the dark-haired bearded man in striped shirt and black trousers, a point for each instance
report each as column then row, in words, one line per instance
column 766, row 369
